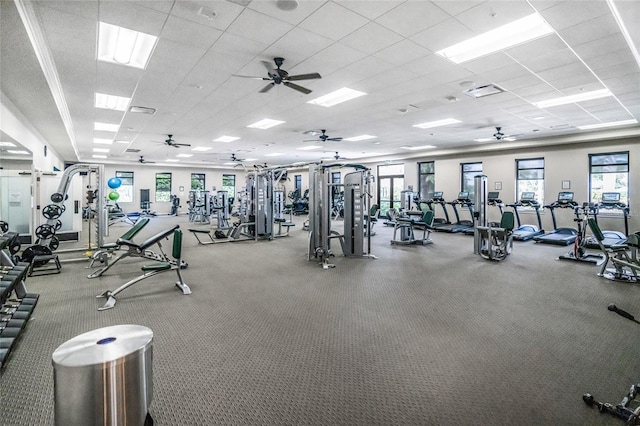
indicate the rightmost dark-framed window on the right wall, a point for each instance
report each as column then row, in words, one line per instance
column 609, row 173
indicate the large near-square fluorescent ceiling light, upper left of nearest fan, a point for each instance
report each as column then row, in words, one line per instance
column 123, row 46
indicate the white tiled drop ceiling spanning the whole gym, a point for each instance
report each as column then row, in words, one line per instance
column 383, row 48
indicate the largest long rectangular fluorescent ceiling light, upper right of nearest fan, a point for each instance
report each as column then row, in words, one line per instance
column 520, row 31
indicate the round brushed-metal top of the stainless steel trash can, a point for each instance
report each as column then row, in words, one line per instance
column 102, row 345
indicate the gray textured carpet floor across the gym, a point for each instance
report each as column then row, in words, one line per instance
column 423, row 335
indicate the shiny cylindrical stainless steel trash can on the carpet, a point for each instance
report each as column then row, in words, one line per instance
column 104, row 377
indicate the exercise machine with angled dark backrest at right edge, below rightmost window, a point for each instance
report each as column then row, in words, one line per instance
column 623, row 257
